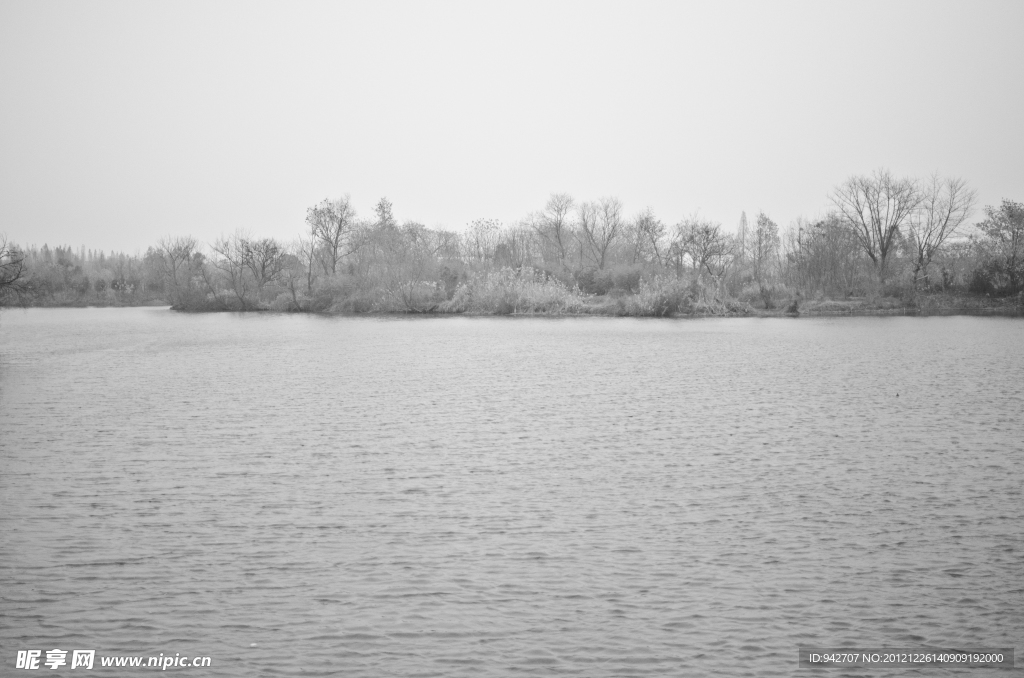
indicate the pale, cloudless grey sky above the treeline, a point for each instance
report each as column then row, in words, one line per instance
column 122, row 123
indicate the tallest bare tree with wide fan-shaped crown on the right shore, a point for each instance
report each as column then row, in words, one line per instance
column 875, row 207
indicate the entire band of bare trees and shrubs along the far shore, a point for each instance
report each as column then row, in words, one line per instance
column 888, row 244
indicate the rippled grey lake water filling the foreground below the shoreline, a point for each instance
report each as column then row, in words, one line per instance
column 296, row 495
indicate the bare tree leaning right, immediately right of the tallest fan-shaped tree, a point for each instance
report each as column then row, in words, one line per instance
column 946, row 205
